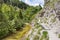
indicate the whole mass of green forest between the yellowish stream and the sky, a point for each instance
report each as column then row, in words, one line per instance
column 13, row 17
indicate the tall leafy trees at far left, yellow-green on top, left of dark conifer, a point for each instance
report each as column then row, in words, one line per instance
column 8, row 15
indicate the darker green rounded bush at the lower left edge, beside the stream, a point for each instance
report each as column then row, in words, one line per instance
column 3, row 29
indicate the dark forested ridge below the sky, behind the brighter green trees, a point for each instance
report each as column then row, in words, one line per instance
column 16, row 3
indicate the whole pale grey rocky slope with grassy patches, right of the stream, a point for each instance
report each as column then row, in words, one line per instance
column 49, row 19
